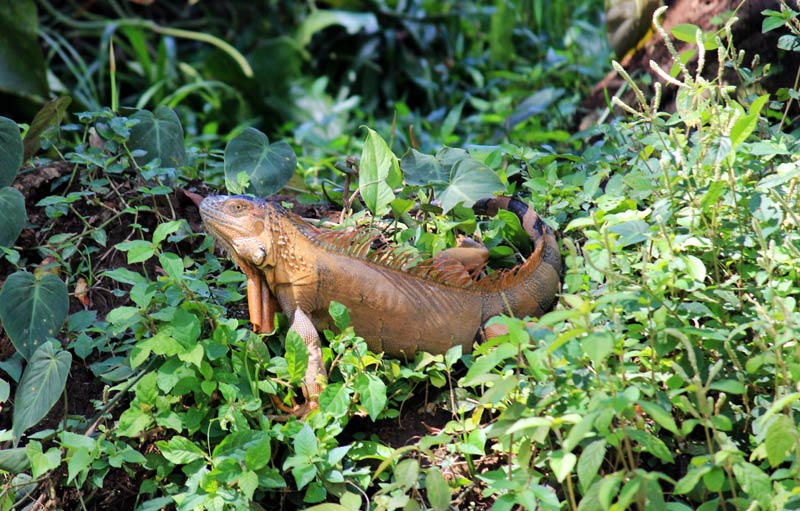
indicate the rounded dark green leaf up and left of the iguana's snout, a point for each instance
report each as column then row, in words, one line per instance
column 160, row 135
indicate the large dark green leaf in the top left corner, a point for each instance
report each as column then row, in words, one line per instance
column 22, row 66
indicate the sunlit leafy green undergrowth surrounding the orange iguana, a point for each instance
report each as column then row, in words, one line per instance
column 666, row 378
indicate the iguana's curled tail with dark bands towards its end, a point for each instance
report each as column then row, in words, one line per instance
column 531, row 288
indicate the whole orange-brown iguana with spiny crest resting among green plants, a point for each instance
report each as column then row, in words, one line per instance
column 398, row 303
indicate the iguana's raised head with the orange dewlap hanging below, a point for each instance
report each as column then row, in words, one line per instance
column 237, row 223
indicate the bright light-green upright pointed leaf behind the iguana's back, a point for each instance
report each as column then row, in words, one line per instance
column 378, row 164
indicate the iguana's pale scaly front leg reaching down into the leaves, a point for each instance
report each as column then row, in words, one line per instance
column 316, row 375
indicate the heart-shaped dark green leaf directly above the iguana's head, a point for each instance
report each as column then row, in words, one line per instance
column 268, row 166
